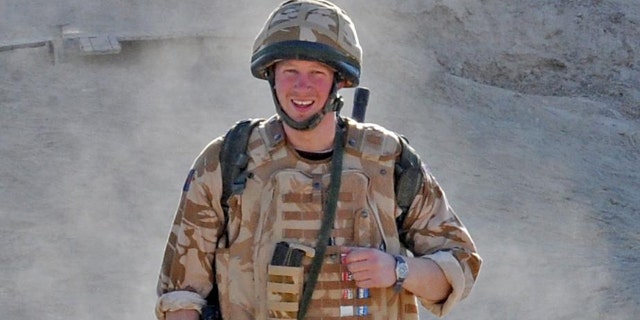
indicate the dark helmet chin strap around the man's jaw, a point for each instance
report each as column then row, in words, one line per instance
column 334, row 103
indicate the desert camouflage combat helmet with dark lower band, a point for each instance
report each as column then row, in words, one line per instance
column 309, row 30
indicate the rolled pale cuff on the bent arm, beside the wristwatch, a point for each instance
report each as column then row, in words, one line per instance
column 454, row 274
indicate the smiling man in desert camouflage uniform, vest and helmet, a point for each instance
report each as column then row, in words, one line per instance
column 317, row 231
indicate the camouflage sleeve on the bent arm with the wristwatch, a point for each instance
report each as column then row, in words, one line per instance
column 434, row 231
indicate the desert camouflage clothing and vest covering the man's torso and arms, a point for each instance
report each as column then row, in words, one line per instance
column 283, row 201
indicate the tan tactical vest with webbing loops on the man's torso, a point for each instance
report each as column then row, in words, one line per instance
column 283, row 201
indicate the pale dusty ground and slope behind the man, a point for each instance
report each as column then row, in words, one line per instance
column 529, row 115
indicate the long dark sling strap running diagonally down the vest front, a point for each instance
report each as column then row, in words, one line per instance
column 327, row 220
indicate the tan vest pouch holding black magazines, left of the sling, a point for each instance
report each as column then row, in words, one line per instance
column 285, row 280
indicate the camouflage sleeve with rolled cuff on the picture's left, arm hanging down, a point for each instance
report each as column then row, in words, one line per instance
column 186, row 275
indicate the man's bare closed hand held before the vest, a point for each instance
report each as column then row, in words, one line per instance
column 370, row 268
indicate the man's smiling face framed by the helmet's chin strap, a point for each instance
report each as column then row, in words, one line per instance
column 302, row 87
